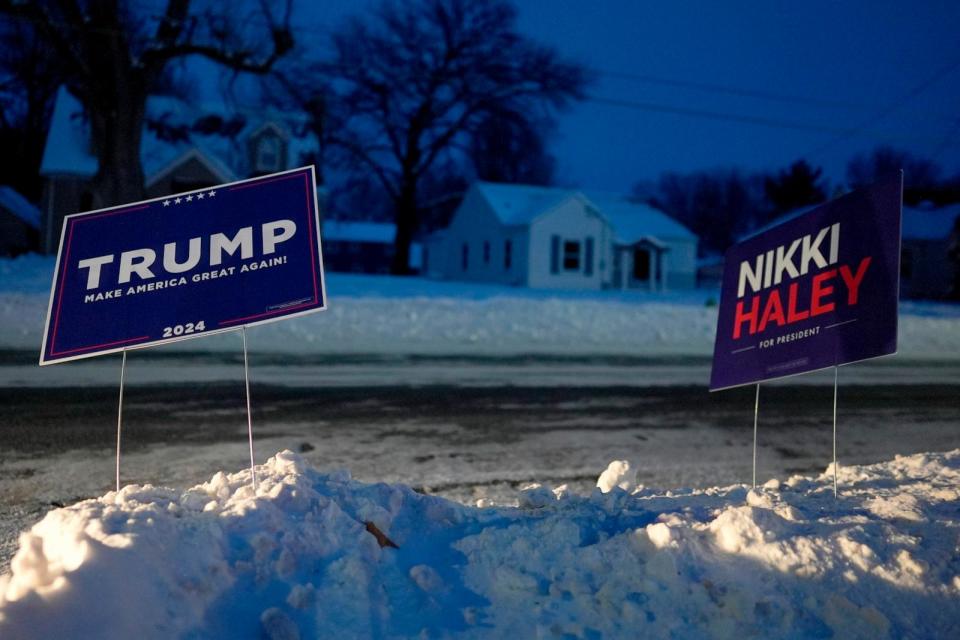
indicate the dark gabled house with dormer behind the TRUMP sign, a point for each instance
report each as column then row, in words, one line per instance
column 184, row 147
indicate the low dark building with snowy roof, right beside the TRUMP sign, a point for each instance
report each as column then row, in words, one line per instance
column 362, row 247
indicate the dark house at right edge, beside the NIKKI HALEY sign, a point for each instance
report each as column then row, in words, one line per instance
column 926, row 268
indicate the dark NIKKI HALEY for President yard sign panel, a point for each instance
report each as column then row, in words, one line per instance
column 817, row 291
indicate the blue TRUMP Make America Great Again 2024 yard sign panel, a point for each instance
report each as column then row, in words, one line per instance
column 185, row 266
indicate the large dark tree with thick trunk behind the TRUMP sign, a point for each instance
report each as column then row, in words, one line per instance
column 114, row 52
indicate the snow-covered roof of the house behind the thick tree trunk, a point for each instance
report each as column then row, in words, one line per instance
column 172, row 133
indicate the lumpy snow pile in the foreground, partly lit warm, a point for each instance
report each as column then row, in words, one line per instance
column 299, row 559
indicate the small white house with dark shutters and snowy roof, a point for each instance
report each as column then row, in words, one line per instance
column 548, row 237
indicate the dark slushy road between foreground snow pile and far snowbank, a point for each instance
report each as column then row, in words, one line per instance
column 57, row 445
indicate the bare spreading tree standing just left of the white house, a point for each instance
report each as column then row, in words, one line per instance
column 414, row 80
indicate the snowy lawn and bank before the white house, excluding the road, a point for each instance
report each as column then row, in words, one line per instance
column 385, row 315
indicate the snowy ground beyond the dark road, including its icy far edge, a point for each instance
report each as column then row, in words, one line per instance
column 381, row 330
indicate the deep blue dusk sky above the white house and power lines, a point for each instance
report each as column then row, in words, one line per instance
column 750, row 84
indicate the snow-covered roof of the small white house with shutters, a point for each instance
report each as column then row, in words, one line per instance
column 520, row 204
